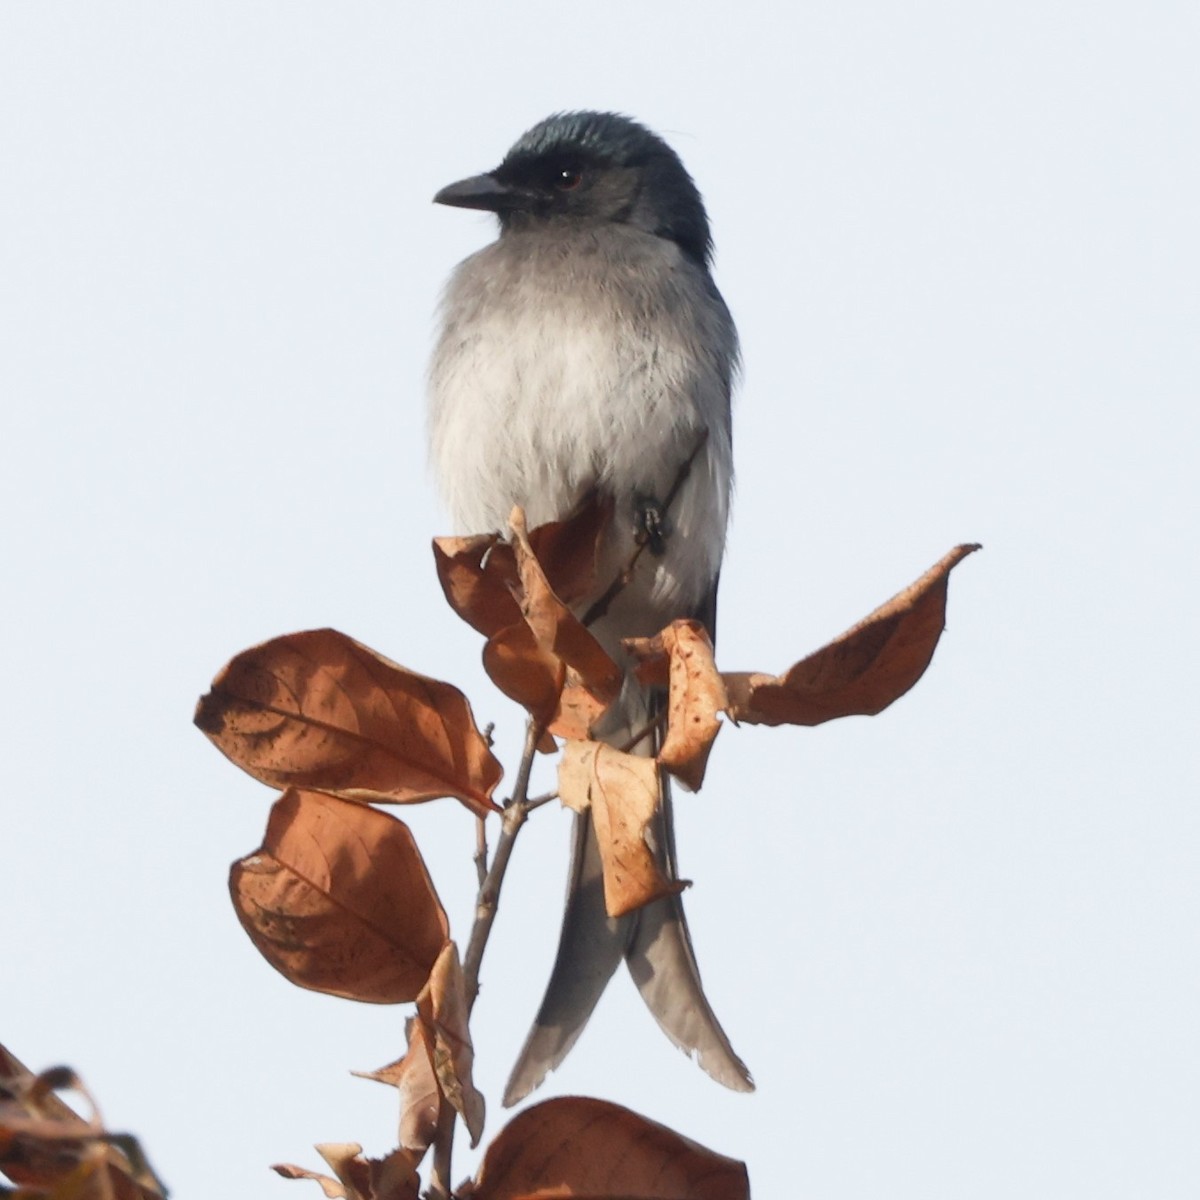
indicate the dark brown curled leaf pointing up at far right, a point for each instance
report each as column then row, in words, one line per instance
column 861, row 673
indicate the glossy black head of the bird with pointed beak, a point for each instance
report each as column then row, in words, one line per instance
column 592, row 169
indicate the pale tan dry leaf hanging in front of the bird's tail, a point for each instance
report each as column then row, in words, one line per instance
column 622, row 790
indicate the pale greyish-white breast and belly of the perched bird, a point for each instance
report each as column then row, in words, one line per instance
column 589, row 362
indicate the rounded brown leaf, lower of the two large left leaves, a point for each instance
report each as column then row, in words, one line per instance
column 339, row 901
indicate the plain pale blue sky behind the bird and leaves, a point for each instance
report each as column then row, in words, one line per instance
column 957, row 944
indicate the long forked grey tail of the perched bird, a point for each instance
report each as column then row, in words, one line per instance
column 655, row 943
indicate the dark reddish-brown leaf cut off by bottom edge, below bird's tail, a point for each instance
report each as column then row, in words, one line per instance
column 587, row 1148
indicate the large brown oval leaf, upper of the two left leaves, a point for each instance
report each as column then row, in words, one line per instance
column 321, row 711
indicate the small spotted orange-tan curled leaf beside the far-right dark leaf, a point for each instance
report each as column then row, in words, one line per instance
column 697, row 694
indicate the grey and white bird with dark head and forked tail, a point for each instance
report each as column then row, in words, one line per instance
column 587, row 353
